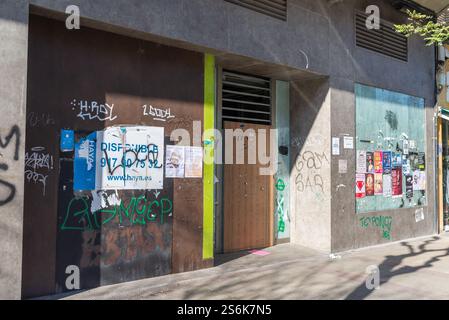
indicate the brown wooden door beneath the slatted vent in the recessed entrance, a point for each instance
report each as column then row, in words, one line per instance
column 248, row 199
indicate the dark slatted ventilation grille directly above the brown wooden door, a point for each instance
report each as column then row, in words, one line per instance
column 246, row 98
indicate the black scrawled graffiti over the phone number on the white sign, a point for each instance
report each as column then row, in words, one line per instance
column 133, row 158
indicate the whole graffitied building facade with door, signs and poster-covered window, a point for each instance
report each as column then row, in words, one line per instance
column 106, row 131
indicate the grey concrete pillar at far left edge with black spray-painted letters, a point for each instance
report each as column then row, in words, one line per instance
column 13, row 69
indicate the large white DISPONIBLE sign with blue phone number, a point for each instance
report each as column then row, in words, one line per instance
column 130, row 158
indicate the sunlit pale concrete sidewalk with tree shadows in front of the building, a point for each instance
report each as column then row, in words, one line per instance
column 414, row 269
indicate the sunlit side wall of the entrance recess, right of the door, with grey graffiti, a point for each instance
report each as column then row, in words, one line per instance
column 310, row 174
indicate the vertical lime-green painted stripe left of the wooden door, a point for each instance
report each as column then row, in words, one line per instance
column 208, row 178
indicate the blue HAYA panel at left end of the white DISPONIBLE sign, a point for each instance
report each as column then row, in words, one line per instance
column 84, row 165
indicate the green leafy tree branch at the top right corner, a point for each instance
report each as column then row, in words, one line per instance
column 425, row 26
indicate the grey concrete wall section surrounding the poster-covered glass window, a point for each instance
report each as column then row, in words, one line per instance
column 415, row 77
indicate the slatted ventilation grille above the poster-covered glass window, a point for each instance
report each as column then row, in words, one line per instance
column 385, row 40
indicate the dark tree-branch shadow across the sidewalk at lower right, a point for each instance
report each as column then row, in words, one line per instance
column 388, row 268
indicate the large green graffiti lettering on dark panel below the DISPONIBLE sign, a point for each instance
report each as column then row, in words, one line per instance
column 137, row 211
